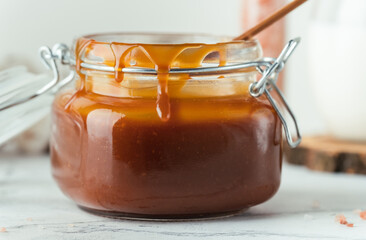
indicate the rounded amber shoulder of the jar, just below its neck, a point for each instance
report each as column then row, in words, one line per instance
column 188, row 109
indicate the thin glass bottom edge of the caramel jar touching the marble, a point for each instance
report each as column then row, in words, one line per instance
column 162, row 218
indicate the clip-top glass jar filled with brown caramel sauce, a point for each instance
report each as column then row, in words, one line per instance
column 166, row 127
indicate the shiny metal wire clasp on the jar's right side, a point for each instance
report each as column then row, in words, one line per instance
column 268, row 82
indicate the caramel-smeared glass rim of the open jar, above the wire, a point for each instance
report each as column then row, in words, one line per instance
column 96, row 51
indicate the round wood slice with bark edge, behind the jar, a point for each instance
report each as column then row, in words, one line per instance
column 323, row 153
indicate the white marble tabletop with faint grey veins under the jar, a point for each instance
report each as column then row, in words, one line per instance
column 32, row 207
